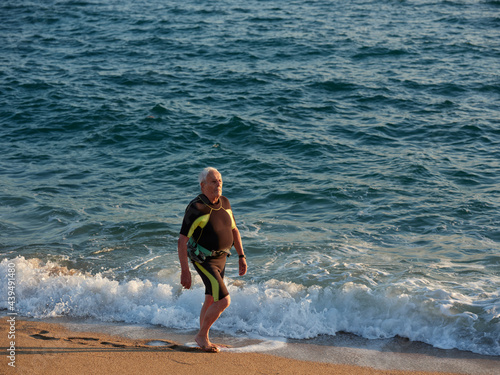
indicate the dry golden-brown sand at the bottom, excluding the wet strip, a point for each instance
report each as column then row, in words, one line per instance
column 49, row 348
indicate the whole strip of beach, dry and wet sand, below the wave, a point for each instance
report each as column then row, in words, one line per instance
column 58, row 346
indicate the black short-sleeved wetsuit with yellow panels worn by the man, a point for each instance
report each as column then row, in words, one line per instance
column 210, row 226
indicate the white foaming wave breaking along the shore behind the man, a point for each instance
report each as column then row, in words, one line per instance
column 412, row 308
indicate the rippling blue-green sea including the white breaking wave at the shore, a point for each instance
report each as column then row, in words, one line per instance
column 358, row 140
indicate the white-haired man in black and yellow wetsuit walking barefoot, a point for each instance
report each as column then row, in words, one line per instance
column 207, row 234
